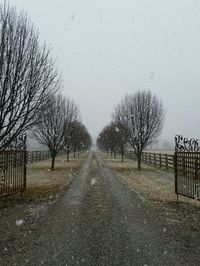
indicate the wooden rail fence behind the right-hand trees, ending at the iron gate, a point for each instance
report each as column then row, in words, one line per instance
column 156, row 159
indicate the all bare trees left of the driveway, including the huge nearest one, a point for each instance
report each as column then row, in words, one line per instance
column 30, row 99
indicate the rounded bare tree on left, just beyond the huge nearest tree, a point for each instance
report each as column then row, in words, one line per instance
column 51, row 125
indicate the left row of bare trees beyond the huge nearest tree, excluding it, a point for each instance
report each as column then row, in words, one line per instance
column 59, row 128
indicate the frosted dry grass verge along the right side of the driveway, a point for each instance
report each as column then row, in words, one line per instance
column 156, row 187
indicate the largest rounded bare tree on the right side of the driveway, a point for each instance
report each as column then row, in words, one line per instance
column 141, row 118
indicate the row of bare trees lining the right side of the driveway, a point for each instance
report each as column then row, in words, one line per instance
column 137, row 121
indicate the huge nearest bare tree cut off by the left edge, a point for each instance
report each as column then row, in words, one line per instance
column 27, row 74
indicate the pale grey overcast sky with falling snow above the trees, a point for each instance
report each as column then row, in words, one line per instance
column 107, row 48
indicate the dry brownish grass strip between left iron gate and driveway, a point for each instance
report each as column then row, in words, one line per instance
column 42, row 183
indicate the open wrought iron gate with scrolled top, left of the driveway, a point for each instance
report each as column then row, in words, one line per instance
column 13, row 168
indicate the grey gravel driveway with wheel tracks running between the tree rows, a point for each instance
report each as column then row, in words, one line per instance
column 97, row 221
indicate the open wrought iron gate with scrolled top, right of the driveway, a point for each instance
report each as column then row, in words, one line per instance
column 187, row 167
